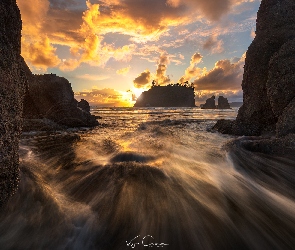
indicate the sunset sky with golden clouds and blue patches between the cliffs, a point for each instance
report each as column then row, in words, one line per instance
column 111, row 50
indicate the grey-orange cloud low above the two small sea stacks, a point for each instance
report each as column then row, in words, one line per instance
column 226, row 75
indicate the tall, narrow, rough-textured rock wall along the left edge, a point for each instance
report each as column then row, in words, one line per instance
column 12, row 82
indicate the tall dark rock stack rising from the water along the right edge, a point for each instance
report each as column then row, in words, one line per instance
column 269, row 75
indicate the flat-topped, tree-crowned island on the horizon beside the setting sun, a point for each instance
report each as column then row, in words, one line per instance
column 167, row 96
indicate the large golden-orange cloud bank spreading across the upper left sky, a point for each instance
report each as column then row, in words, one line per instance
column 48, row 23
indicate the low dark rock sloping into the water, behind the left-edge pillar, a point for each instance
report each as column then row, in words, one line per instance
column 50, row 96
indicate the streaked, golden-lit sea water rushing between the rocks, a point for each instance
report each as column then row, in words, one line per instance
column 148, row 178
